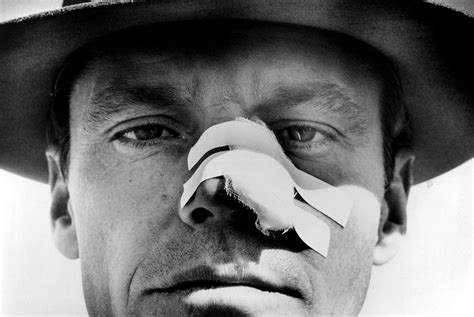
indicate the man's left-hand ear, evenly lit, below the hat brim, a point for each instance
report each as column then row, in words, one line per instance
column 62, row 218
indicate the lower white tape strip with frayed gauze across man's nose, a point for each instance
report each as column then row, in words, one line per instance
column 263, row 184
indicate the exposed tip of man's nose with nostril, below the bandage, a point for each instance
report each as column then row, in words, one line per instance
column 213, row 206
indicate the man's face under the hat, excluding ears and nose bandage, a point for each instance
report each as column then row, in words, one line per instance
column 136, row 112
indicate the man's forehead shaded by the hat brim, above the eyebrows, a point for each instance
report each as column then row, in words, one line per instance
column 231, row 54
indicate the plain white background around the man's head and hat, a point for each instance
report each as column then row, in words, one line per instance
column 432, row 274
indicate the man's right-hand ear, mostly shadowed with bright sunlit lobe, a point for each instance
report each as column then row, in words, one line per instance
column 393, row 220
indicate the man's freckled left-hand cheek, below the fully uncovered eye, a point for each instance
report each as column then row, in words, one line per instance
column 120, row 210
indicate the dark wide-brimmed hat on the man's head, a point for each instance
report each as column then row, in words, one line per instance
column 429, row 45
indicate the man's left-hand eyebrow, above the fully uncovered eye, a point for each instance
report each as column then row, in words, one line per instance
column 122, row 96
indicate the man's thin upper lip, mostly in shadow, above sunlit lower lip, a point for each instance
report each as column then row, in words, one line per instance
column 207, row 277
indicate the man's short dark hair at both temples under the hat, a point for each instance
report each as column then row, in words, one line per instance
column 396, row 132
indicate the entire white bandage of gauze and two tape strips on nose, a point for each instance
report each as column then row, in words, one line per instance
column 261, row 176
